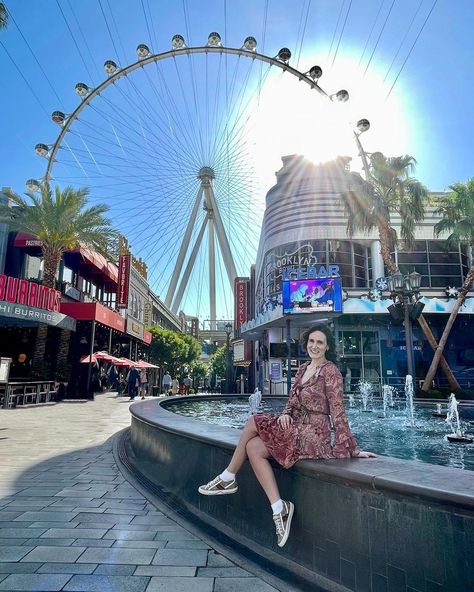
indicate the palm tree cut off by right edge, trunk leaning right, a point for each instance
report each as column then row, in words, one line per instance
column 457, row 217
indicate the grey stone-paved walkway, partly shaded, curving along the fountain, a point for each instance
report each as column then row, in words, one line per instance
column 70, row 521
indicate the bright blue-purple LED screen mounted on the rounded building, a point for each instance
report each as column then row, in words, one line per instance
column 315, row 295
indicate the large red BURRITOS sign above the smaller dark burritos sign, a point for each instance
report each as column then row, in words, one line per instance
column 18, row 291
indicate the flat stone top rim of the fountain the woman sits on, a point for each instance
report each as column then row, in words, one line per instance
column 444, row 485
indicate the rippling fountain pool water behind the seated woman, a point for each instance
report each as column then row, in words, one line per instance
column 389, row 436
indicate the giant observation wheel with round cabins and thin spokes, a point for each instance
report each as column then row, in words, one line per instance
column 169, row 143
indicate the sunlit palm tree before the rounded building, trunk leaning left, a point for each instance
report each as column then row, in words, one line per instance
column 390, row 188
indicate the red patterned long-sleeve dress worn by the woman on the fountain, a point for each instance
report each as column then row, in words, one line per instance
column 316, row 408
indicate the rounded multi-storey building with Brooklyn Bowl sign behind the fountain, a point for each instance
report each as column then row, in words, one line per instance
column 304, row 242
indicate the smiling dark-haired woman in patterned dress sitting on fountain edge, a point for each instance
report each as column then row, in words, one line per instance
column 315, row 407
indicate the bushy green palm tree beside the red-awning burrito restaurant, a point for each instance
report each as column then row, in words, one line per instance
column 62, row 222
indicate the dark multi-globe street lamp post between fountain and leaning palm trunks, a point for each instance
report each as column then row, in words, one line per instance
column 405, row 289
